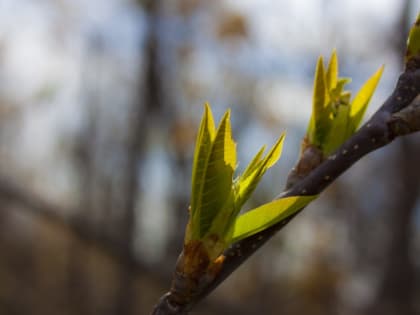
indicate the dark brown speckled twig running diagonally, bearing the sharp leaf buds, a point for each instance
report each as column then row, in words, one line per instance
column 398, row 116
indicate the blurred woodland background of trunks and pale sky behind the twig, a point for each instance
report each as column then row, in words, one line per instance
column 99, row 105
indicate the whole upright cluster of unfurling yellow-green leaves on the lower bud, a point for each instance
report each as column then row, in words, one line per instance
column 216, row 198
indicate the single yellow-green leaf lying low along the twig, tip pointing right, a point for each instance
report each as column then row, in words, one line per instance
column 267, row 215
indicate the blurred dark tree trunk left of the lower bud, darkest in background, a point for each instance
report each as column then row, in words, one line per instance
column 147, row 105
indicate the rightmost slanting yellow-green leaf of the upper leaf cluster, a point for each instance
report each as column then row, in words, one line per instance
column 361, row 100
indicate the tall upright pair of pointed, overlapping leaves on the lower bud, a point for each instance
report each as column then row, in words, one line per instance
column 213, row 167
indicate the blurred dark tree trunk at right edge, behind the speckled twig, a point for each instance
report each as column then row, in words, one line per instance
column 397, row 290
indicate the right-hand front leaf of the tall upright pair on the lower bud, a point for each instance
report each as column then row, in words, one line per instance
column 216, row 176
